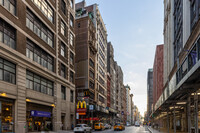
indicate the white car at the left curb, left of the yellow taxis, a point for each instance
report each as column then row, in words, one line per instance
column 82, row 128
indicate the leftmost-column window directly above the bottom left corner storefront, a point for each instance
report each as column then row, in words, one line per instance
column 7, row 71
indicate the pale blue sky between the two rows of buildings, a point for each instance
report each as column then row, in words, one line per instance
column 134, row 28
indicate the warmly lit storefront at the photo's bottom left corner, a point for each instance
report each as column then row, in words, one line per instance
column 6, row 115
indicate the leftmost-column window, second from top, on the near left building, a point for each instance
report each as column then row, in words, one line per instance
column 7, row 34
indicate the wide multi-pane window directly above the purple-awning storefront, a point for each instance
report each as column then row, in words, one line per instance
column 38, row 83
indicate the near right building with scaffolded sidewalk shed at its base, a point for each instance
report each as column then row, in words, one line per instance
column 178, row 104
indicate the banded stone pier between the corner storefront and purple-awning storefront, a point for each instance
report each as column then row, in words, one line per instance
column 21, row 100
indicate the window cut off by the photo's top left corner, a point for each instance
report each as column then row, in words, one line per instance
column 10, row 5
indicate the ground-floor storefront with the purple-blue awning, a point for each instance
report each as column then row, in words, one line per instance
column 39, row 117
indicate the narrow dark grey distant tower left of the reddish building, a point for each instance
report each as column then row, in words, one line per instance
column 149, row 94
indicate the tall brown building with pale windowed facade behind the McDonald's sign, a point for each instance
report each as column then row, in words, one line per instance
column 98, row 74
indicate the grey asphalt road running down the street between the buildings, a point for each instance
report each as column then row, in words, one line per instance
column 131, row 129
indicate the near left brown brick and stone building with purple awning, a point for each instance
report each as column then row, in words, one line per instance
column 36, row 65
